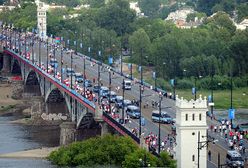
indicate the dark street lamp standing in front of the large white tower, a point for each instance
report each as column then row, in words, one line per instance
column 202, row 144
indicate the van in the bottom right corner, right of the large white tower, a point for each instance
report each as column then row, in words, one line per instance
column 234, row 159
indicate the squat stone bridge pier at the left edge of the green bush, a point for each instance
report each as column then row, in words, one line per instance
column 67, row 133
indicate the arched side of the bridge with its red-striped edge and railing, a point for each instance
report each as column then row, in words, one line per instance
column 81, row 111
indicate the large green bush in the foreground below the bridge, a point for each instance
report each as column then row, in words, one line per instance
column 106, row 150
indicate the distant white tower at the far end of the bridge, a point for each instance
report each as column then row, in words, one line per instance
column 41, row 18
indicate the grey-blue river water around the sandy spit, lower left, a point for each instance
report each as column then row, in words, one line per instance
column 15, row 138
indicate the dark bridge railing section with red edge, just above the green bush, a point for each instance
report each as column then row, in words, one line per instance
column 124, row 129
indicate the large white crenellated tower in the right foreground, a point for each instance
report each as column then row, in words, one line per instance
column 191, row 128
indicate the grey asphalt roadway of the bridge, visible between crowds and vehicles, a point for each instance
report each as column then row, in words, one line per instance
column 148, row 95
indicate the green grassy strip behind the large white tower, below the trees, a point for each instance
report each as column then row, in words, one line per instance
column 222, row 98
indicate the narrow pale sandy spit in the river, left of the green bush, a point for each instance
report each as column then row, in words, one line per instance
column 40, row 153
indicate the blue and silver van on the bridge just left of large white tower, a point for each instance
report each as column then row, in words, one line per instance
column 164, row 117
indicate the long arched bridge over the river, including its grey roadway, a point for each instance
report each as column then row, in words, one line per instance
column 33, row 64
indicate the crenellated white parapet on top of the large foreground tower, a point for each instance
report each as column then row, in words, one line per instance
column 198, row 103
